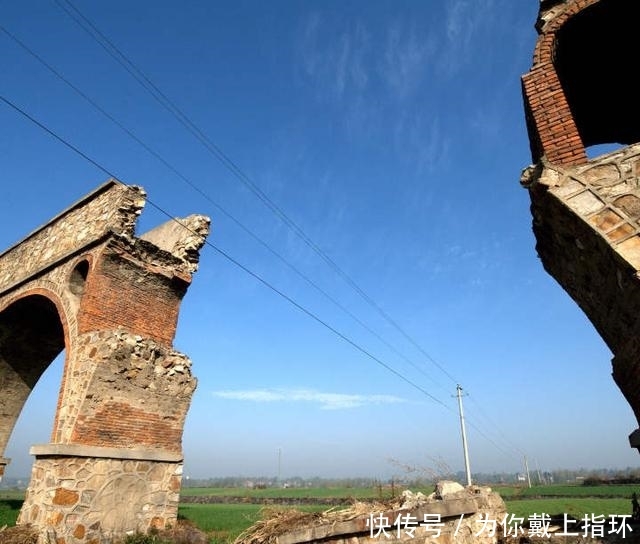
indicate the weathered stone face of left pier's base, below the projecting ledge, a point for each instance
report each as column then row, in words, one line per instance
column 116, row 498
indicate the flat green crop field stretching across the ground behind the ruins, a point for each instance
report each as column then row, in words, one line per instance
column 223, row 522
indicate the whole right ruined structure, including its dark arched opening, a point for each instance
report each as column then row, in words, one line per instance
column 586, row 212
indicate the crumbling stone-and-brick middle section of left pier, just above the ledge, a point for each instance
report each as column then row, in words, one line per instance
column 127, row 391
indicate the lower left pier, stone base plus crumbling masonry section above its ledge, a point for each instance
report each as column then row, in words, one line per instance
column 117, row 462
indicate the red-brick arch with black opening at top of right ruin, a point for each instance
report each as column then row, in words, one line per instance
column 576, row 94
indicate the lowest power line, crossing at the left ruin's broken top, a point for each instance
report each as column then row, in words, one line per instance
column 234, row 261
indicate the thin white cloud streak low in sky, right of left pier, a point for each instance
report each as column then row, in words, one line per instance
column 327, row 401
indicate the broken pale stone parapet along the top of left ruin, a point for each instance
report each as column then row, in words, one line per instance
column 110, row 211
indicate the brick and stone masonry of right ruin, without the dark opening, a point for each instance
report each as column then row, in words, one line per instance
column 586, row 212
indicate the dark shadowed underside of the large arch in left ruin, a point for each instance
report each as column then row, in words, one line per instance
column 31, row 337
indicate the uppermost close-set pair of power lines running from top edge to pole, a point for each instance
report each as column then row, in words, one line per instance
column 90, row 28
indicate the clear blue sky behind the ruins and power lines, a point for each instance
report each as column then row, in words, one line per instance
column 392, row 134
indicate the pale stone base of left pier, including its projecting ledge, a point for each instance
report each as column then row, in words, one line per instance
column 86, row 494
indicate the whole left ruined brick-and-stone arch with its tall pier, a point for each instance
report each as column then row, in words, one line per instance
column 83, row 283
